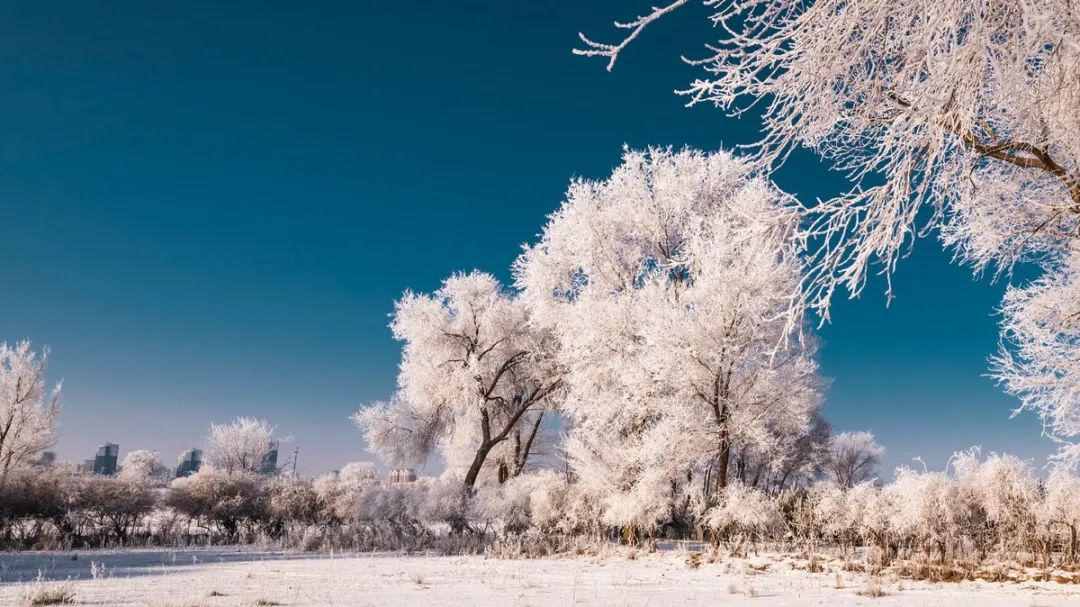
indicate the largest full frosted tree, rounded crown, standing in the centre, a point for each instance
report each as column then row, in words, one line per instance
column 667, row 288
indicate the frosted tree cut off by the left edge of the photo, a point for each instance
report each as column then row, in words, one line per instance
column 29, row 410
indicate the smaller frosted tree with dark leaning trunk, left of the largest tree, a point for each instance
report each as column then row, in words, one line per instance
column 477, row 377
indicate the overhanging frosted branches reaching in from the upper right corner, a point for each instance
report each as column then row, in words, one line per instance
column 954, row 117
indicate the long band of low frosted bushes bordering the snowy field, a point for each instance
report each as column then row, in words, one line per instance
column 981, row 511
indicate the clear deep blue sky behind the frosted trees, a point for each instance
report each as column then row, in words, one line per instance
column 209, row 209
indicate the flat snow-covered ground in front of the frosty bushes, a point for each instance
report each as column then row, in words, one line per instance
column 213, row 578
